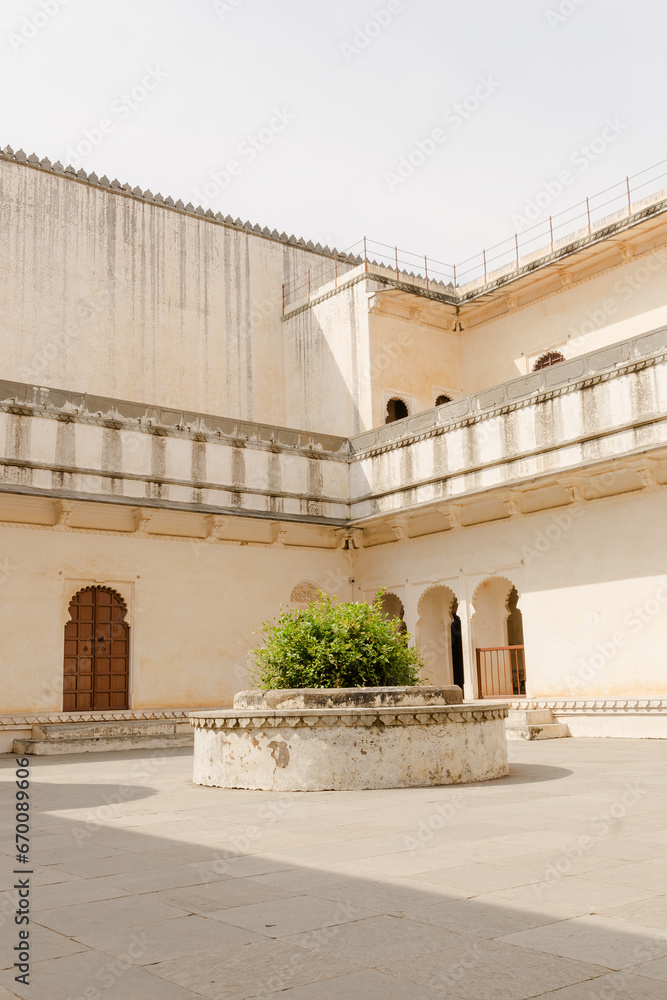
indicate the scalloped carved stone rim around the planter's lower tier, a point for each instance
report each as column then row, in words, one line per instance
column 352, row 717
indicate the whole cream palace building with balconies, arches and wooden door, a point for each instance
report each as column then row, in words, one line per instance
column 193, row 435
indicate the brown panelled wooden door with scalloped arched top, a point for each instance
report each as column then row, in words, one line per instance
column 97, row 652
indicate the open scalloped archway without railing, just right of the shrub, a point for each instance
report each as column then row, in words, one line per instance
column 438, row 633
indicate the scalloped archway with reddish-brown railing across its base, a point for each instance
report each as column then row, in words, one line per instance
column 497, row 625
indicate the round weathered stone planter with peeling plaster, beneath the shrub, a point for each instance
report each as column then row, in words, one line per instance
column 346, row 738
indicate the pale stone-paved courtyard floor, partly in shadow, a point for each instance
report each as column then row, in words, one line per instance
column 549, row 883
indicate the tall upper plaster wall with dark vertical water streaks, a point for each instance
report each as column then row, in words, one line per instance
column 105, row 294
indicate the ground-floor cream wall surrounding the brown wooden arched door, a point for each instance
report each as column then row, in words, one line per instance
column 192, row 608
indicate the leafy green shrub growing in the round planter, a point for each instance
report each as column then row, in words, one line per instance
column 331, row 644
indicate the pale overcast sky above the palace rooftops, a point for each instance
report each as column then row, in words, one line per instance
column 316, row 103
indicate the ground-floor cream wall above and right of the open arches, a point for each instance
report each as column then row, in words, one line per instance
column 592, row 583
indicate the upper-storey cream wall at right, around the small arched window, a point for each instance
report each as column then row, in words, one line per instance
column 623, row 302
